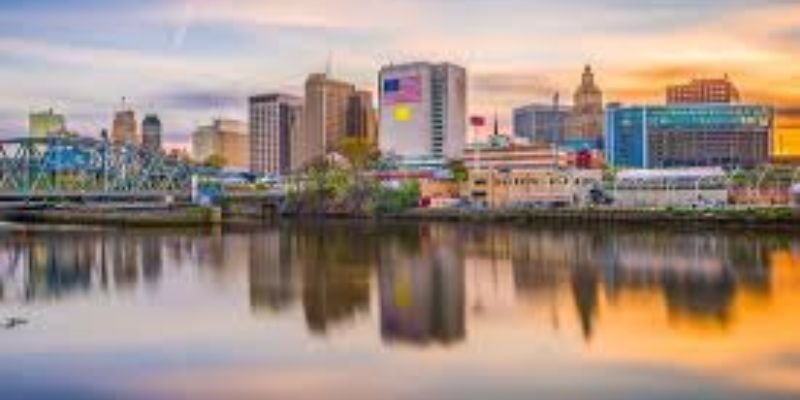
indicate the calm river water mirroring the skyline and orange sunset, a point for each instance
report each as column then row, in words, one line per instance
column 358, row 311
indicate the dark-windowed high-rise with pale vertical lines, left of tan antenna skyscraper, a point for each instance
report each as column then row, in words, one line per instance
column 276, row 122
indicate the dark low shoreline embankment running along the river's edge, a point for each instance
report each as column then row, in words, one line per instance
column 785, row 219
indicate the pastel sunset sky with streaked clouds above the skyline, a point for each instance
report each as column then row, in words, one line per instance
column 193, row 60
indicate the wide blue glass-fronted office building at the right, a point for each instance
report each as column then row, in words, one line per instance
column 688, row 135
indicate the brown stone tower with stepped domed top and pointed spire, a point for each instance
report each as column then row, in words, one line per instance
column 586, row 118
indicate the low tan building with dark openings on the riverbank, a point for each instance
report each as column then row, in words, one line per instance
column 524, row 187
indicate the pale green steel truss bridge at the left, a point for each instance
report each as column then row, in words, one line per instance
column 76, row 167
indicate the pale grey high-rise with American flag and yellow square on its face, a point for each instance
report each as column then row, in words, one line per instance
column 423, row 110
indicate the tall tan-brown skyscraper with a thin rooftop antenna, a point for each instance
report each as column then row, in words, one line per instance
column 325, row 117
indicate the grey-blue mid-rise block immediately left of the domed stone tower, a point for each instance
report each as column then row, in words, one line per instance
column 545, row 123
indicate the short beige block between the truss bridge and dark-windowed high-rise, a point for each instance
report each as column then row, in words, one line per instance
column 226, row 139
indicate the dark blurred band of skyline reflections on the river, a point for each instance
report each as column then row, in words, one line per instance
column 418, row 272
